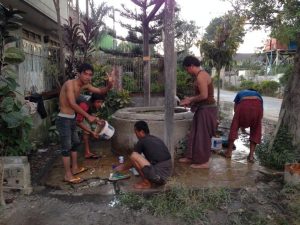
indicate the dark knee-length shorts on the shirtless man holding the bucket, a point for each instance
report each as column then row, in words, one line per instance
column 69, row 139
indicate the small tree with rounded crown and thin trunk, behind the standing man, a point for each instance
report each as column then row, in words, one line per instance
column 221, row 41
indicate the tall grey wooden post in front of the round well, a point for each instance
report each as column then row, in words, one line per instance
column 170, row 74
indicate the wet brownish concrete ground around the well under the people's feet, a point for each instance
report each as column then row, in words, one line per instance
column 231, row 173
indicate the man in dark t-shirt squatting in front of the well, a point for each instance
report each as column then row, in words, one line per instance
column 155, row 165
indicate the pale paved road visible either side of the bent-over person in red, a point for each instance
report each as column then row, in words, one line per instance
column 271, row 105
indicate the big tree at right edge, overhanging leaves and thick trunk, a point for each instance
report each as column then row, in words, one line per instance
column 283, row 17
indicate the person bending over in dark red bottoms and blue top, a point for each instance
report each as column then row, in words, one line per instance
column 248, row 112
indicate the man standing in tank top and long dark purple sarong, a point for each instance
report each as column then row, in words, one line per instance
column 204, row 123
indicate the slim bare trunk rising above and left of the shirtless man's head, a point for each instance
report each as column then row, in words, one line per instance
column 61, row 43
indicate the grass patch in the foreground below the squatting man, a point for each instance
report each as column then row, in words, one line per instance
column 179, row 202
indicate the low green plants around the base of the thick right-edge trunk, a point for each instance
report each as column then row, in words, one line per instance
column 282, row 152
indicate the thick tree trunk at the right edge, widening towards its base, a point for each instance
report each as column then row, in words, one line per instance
column 290, row 108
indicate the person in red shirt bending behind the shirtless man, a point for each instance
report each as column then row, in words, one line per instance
column 90, row 106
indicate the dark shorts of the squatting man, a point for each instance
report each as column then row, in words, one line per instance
column 159, row 172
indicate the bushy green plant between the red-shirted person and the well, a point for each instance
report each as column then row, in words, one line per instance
column 114, row 101
